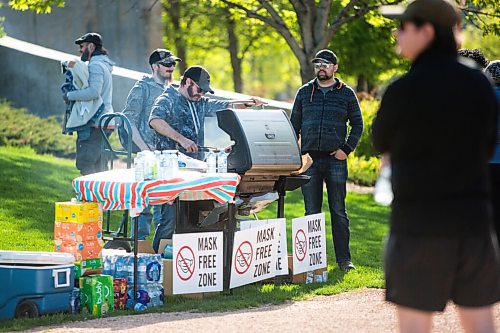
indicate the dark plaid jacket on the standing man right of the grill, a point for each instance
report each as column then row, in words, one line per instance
column 321, row 119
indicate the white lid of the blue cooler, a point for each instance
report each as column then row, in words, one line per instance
column 26, row 257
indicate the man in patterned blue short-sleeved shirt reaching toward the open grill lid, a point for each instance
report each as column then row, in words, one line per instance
column 178, row 117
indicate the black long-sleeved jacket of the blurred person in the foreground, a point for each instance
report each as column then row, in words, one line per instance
column 438, row 125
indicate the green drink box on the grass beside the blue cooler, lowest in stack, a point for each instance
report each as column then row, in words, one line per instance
column 97, row 294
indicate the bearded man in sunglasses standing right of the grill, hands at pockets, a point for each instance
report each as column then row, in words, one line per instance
column 320, row 114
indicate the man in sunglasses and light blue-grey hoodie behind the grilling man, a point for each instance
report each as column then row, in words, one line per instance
column 140, row 100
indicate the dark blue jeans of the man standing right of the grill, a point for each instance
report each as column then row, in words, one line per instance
column 334, row 173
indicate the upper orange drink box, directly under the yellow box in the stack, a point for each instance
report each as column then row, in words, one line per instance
column 77, row 232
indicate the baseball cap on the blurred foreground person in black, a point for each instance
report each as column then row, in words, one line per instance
column 439, row 12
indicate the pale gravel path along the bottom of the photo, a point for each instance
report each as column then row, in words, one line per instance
column 357, row 311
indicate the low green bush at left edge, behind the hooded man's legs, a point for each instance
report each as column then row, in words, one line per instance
column 20, row 128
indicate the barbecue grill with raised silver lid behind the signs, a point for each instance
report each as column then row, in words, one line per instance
column 265, row 153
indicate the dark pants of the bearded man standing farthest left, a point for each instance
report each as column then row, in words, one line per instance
column 88, row 152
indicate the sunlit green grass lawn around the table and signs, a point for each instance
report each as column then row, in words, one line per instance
column 31, row 184
